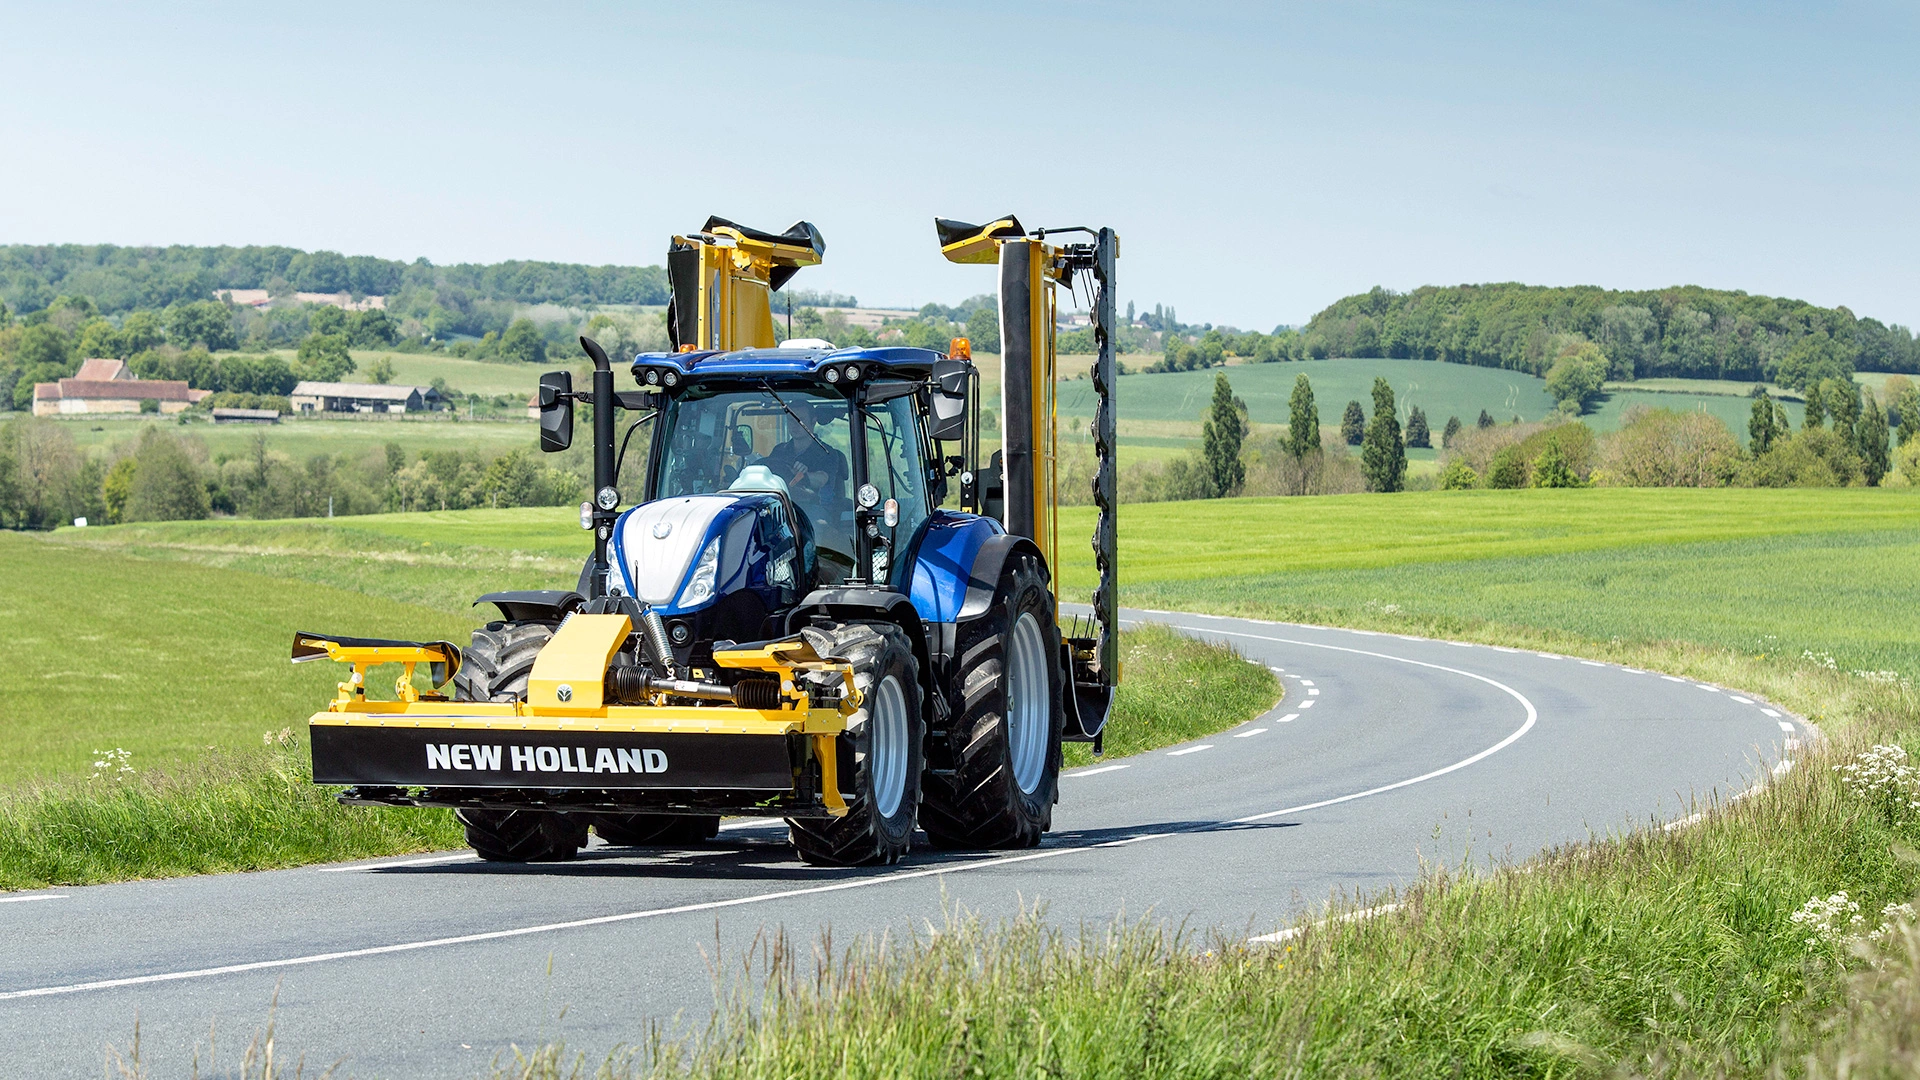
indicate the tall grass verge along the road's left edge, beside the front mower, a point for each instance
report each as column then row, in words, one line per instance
column 224, row 812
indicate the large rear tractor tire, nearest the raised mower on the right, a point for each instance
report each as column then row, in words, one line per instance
column 982, row 804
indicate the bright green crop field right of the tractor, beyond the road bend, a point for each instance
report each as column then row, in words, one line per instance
column 1833, row 574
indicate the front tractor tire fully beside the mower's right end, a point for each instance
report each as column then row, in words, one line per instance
column 871, row 833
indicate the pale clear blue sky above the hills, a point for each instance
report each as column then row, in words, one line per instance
column 1259, row 160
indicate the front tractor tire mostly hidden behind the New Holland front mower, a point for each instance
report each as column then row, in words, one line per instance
column 494, row 670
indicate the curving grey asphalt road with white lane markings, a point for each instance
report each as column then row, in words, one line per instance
column 1385, row 752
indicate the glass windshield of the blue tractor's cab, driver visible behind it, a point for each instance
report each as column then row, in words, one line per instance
column 796, row 435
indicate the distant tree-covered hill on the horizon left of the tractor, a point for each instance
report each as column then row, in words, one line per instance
column 126, row 280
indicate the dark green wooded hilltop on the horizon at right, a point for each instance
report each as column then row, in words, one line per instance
column 1683, row 331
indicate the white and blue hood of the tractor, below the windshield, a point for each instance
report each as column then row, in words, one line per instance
column 688, row 552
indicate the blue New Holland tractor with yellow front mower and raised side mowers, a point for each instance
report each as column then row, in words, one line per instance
column 825, row 606
